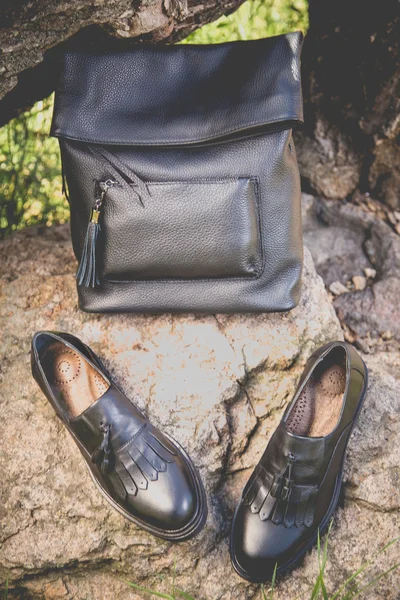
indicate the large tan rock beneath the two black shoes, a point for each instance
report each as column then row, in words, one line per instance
column 216, row 383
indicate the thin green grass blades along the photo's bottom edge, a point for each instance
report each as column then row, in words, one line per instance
column 351, row 588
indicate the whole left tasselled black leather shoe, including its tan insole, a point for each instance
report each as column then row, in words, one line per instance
column 143, row 473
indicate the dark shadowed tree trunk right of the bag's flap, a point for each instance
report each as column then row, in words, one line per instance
column 351, row 82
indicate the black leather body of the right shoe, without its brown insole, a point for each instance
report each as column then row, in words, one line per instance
column 295, row 486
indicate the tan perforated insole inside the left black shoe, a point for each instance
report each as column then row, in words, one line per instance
column 72, row 377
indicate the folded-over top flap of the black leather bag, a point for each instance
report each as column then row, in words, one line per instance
column 179, row 94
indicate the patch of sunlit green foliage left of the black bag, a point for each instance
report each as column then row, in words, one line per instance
column 30, row 180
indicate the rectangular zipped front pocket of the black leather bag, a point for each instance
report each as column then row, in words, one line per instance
column 181, row 230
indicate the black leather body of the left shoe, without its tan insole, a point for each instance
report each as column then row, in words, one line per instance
column 145, row 473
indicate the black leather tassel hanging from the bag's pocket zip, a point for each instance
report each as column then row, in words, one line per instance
column 87, row 274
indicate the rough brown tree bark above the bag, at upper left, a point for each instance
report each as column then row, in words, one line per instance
column 32, row 35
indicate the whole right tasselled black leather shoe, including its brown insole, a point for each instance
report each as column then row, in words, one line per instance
column 294, row 489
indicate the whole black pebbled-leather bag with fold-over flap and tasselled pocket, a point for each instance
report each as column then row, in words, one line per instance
column 182, row 175
